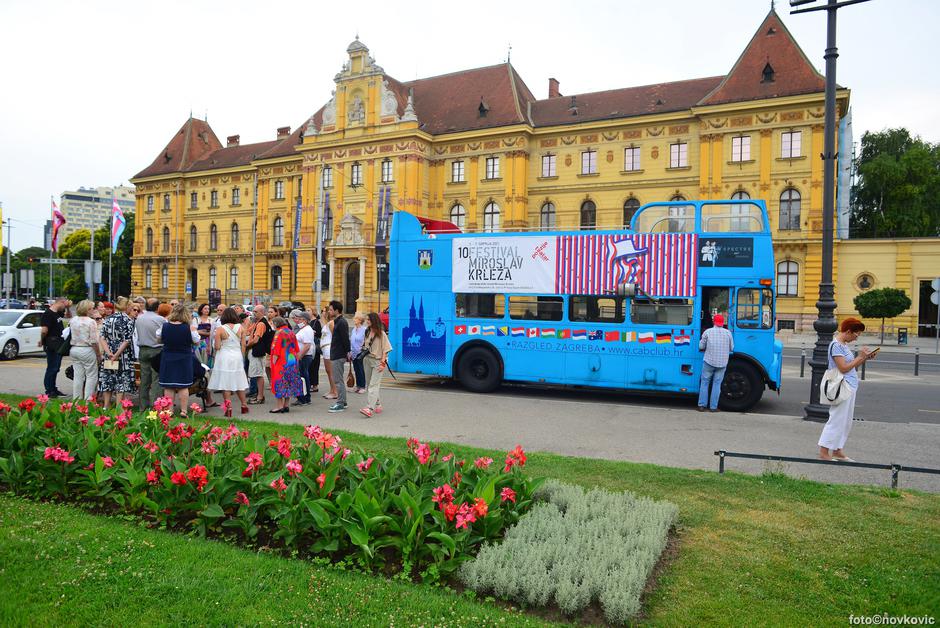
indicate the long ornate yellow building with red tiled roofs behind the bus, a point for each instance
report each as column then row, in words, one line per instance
column 476, row 148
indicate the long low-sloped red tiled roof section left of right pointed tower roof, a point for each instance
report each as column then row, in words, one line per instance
column 622, row 103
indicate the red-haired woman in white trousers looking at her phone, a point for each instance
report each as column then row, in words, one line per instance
column 836, row 430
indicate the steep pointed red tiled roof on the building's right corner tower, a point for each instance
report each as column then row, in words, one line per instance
column 771, row 44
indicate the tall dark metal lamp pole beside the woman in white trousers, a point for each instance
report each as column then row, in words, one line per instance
column 825, row 324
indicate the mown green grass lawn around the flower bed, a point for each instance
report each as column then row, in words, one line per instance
column 752, row 551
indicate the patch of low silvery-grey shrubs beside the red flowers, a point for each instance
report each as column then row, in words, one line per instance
column 575, row 547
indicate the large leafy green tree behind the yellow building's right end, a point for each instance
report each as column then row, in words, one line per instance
column 898, row 190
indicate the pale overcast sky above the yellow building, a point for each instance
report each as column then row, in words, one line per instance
column 90, row 92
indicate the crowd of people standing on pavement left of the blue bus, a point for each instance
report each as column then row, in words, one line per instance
column 151, row 349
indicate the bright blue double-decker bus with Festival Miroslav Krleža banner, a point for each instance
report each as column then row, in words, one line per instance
column 618, row 309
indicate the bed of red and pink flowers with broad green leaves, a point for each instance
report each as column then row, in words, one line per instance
column 420, row 513
